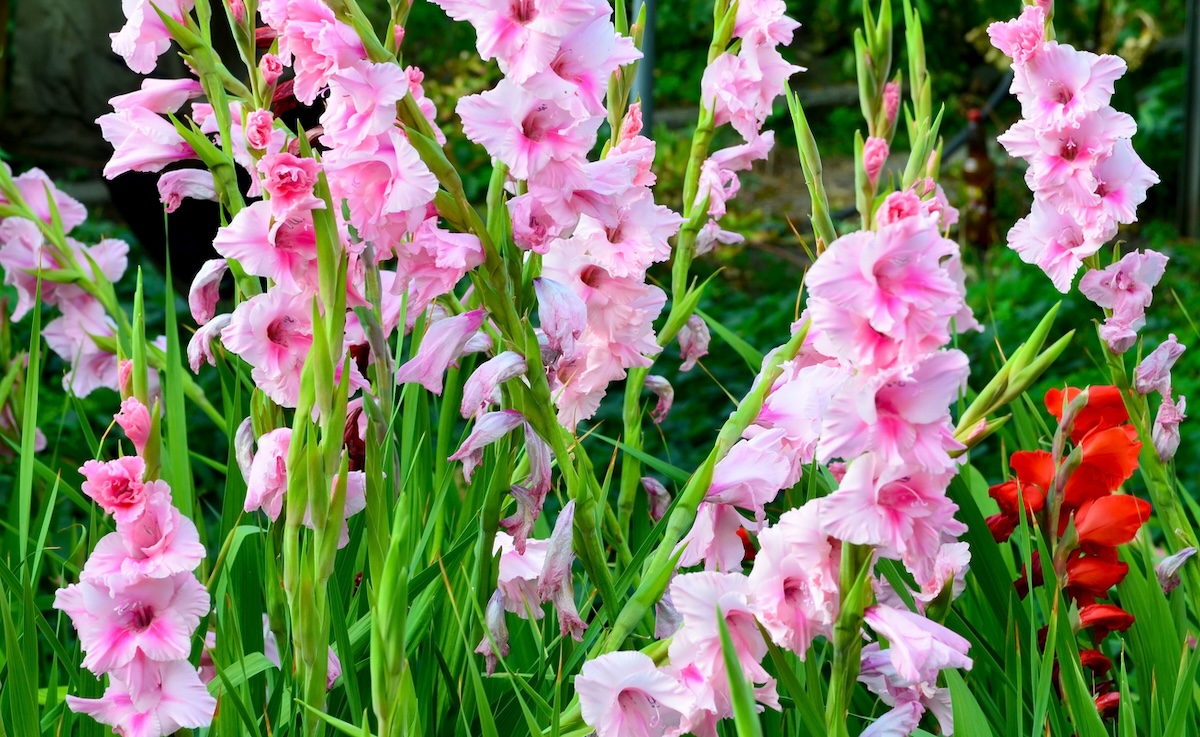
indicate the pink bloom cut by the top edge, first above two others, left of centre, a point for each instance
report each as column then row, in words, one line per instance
column 319, row 46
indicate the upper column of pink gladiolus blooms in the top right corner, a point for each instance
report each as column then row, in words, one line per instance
column 1085, row 176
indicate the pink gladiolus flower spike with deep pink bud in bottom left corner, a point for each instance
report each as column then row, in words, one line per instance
column 139, row 604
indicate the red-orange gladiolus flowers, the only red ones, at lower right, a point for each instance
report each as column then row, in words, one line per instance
column 1107, row 448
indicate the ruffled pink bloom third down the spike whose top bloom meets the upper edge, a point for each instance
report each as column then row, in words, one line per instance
column 387, row 188
